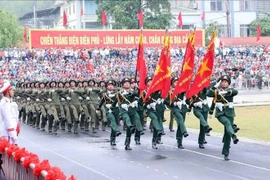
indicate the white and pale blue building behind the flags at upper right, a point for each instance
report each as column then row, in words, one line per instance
column 242, row 13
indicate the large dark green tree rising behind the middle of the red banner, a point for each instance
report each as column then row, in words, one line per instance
column 157, row 13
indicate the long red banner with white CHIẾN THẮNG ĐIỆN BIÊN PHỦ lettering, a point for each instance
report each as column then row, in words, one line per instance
column 107, row 38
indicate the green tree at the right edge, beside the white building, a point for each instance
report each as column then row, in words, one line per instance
column 264, row 23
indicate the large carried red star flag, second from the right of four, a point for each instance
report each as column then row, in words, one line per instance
column 187, row 67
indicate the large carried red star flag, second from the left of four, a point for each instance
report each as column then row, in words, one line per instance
column 162, row 77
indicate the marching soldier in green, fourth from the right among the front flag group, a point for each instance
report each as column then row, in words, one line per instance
column 150, row 105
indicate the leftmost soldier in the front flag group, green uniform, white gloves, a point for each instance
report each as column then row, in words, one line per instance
column 107, row 99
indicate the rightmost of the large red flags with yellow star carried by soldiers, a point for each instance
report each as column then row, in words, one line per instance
column 202, row 78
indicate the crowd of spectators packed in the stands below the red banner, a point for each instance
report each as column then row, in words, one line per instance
column 249, row 66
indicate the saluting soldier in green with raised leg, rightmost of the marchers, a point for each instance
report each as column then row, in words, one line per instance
column 223, row 100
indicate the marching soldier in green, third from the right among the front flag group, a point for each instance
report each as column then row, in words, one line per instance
column 179, row 109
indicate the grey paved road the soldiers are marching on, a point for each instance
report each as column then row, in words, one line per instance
column 90, row 157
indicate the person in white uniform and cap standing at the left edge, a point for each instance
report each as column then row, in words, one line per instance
column 8, row 113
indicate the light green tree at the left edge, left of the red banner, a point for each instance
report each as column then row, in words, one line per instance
column 10, row 31
